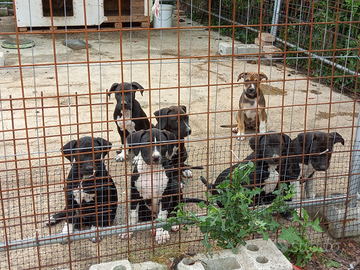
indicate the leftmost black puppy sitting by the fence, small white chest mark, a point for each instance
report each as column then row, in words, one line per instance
column 91, row 195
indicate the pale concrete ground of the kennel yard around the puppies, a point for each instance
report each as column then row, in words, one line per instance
column 44, row 107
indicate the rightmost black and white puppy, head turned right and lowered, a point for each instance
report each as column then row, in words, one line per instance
column 309, row 152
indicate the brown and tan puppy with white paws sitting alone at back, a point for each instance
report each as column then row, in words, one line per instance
column 251, row 98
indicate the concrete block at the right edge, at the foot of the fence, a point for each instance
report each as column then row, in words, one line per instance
column 336, row 212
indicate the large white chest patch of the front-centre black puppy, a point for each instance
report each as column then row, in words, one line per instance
column 152, row 181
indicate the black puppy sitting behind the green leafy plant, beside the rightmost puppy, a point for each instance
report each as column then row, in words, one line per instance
column 268, row 148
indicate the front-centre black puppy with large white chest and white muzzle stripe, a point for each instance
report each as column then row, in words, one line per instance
column 155, row 187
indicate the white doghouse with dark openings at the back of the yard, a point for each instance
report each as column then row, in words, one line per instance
column 70, row 13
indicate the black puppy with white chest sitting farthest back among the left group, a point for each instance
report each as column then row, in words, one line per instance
column 128, row 114
